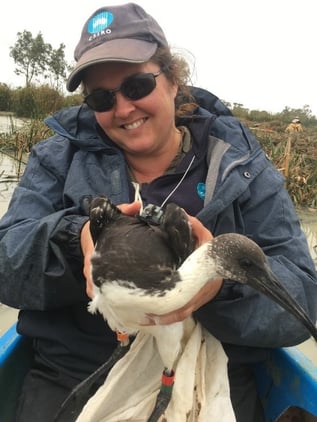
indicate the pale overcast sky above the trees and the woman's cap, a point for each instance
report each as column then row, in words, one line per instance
column 259, row 53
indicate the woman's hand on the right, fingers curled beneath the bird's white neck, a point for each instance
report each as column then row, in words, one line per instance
column 205, row 294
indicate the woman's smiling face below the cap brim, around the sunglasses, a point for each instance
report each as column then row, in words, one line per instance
column 140, row 127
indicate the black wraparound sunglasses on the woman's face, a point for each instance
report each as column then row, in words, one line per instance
column 134, row 88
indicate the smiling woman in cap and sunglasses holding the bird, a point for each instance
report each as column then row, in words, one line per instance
column 139, row 126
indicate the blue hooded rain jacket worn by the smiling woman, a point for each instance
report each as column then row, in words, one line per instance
column 41, row 261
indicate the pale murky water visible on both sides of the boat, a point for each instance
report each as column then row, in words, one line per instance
column 8, row 179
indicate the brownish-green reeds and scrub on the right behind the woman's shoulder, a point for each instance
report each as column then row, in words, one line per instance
column 294, row 155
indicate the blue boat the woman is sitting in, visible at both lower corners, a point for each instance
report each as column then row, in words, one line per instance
column 287, row 382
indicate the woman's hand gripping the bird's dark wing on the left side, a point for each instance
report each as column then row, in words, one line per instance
column 87, row 245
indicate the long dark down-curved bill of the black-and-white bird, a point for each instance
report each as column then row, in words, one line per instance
column 271, row 287
